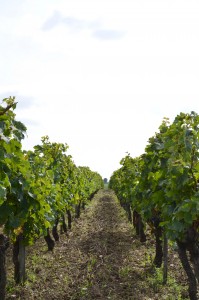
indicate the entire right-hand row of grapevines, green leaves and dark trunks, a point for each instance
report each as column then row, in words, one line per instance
column 160, row 188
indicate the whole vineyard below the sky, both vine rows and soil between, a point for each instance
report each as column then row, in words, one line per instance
column 136, row 239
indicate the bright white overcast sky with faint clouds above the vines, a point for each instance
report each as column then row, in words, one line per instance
column 99, row 75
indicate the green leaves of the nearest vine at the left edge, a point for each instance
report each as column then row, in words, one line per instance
column 15, row 198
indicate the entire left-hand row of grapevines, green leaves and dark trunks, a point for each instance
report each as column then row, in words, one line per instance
column 39, row 189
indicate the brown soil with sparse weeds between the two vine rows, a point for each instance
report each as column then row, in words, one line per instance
column 100, row 259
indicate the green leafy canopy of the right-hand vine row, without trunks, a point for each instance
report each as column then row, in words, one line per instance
column 163, row 182
